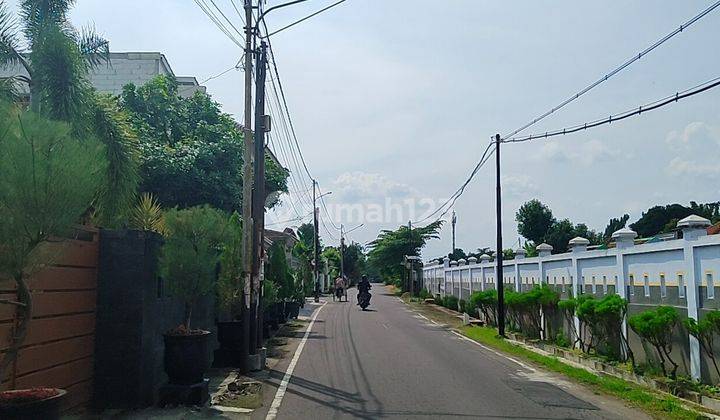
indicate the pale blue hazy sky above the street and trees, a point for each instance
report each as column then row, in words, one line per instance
column 394, row 101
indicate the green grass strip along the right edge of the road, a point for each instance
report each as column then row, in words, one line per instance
column 638, row 396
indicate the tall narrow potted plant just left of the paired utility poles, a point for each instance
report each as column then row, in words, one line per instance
column 230, row 297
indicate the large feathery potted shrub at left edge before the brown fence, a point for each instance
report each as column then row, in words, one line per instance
column 48, row 180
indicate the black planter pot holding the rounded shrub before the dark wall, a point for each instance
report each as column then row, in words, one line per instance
column 186, row 357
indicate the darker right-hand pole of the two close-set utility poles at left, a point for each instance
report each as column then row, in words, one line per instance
column 262, row 125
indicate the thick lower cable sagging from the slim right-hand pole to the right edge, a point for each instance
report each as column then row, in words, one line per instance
column 622, row 115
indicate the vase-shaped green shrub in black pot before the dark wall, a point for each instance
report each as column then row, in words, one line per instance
column 188, row 261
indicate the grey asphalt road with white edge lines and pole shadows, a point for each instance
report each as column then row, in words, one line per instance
column 389, row 362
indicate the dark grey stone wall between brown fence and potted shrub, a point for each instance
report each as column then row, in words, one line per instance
column 134, row 309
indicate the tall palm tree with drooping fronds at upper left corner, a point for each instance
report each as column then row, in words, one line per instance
column 53, row 59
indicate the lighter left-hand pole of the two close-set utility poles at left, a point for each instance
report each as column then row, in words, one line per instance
column 247, row 231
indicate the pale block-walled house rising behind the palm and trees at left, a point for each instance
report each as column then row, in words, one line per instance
column 123, row 68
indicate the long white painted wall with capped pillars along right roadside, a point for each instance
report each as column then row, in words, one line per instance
column 684, row 273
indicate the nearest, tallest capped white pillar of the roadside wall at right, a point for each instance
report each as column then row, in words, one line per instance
column 693, row 227
